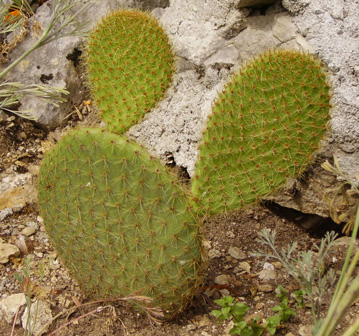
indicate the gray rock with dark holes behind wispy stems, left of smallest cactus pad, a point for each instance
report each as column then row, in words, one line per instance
column 52, row 63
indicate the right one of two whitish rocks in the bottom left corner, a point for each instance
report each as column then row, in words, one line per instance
column 43, row 314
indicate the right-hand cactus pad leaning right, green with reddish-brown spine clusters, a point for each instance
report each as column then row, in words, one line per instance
column 265, row 127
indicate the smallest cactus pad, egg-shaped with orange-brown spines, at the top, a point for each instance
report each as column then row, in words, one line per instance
column 130, row 65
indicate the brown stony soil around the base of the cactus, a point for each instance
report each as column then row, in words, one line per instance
column 22, row 145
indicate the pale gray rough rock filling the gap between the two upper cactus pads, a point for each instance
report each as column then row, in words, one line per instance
column 208, row 52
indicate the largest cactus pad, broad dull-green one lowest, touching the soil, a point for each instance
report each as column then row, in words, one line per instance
column 118, row 219
